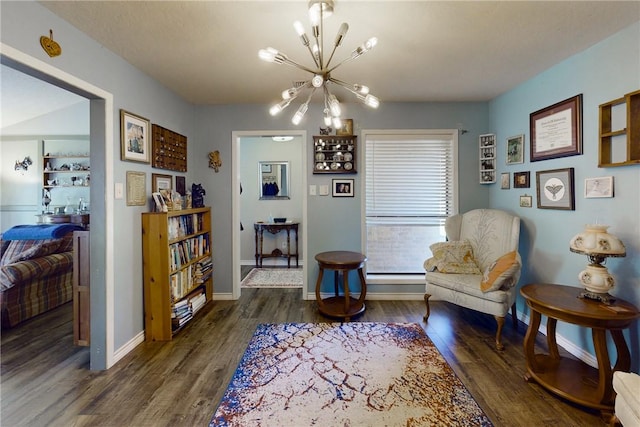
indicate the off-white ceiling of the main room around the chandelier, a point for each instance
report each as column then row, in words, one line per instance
column 206, row 51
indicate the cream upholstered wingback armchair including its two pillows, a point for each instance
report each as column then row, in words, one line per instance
column 478, row 267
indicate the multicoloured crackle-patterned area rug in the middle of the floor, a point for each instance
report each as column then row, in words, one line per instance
column 349, row 374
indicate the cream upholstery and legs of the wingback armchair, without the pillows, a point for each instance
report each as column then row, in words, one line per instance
column 491, row 233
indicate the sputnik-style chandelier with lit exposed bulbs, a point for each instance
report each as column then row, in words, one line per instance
column 320, row 78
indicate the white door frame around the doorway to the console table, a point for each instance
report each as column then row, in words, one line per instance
column 235, row 202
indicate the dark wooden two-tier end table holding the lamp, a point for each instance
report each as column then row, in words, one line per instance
column 569, row 378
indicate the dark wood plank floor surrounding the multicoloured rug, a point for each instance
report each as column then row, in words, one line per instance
column 46, row 381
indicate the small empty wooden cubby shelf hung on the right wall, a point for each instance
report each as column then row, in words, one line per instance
column 619, row 143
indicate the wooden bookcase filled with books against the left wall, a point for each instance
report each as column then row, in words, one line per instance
column 176, row 256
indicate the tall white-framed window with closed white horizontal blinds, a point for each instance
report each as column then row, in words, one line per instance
column 410, row 189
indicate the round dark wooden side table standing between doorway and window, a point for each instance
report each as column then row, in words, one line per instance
column 343, row 306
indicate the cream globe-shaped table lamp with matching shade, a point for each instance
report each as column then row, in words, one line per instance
column 597, row 245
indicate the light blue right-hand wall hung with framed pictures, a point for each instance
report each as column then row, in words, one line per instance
column 601, row 73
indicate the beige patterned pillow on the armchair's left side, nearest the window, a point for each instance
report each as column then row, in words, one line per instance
column 452, row 257
